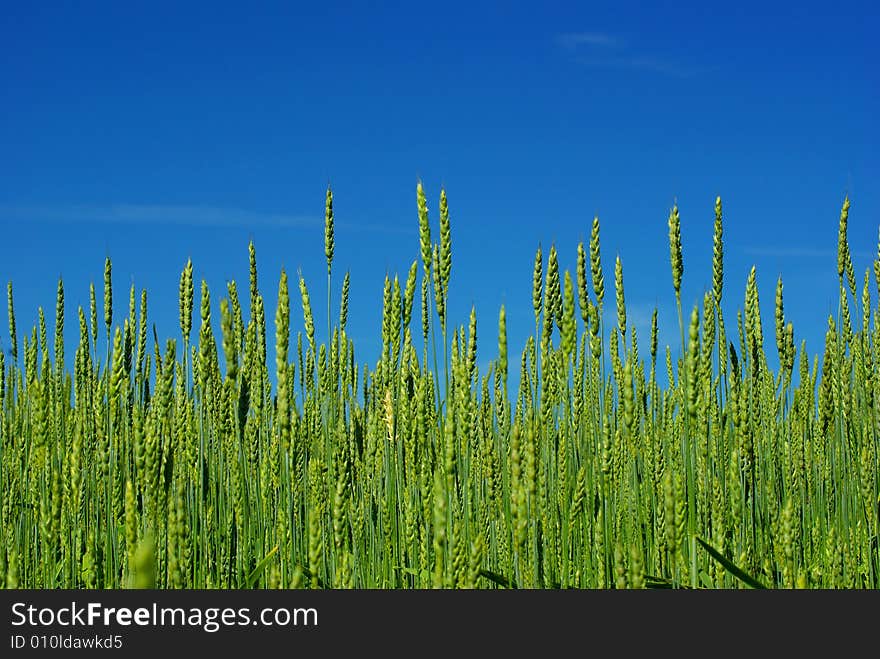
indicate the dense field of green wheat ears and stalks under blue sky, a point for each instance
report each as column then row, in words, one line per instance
column 194, row 462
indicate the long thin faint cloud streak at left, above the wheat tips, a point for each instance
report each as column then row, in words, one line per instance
column 179, row 215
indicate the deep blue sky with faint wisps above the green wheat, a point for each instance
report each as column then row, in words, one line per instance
column 154, row 132
